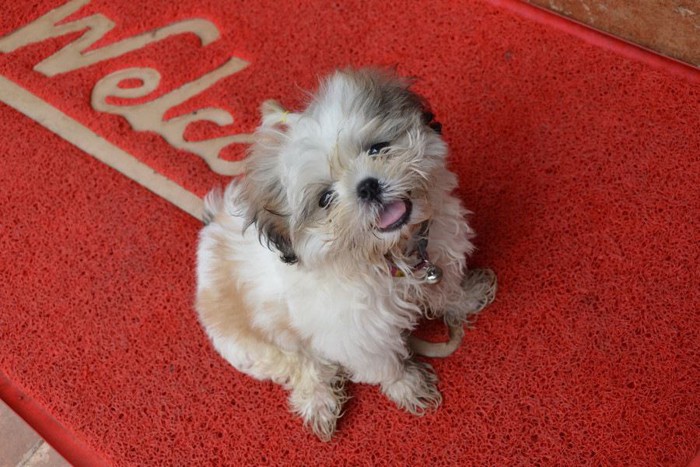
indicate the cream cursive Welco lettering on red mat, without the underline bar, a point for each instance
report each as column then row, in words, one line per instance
column 142, row 117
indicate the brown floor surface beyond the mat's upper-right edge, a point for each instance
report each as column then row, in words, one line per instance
column 669, row 27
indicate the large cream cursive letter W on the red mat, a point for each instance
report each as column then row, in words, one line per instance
column 73, row 56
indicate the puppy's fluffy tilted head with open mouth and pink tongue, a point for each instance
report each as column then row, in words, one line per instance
column 348, row 178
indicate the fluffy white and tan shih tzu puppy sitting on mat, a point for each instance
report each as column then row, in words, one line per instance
column 315, row 267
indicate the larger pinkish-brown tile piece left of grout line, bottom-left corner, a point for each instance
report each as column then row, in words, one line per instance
column 16, row 437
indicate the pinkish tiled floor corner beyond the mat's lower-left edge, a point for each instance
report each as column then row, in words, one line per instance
column 20, row 446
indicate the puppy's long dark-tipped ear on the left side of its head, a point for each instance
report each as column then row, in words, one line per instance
column 262, row 189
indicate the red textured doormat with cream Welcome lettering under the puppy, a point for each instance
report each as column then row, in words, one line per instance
column 578, row 154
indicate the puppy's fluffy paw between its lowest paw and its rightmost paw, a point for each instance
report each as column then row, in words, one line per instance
column 417, row 391
